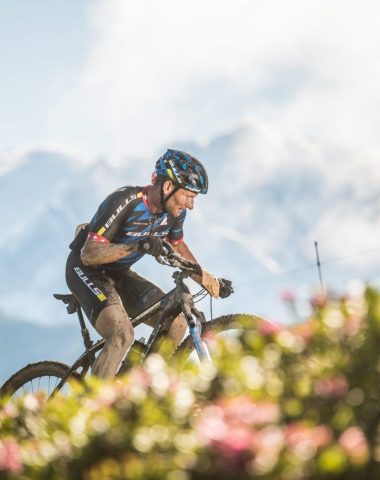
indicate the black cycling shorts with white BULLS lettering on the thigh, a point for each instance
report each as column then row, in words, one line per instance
column 95, row 288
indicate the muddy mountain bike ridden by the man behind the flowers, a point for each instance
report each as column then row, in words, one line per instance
column 52, row 376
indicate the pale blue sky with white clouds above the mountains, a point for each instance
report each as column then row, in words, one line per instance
column 125, row 79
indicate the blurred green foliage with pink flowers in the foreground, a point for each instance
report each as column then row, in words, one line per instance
column 278, row 404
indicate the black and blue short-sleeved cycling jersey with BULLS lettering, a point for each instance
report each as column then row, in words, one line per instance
column 124, row 217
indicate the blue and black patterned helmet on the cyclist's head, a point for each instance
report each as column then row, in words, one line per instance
column 183, row 170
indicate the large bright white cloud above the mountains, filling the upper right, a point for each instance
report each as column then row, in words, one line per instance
column 161, row 70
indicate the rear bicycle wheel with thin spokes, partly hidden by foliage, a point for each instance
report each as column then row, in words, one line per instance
column 36, row 377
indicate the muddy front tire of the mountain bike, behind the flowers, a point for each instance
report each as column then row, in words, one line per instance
column 225, row 323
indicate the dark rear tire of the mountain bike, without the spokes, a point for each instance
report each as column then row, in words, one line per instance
column 36, row 371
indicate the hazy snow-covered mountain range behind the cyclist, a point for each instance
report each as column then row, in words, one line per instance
column 270, row 198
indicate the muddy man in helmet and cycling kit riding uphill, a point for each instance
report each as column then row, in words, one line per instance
column 131, row 222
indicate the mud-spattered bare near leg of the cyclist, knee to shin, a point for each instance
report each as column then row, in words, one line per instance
column 114, row 325
